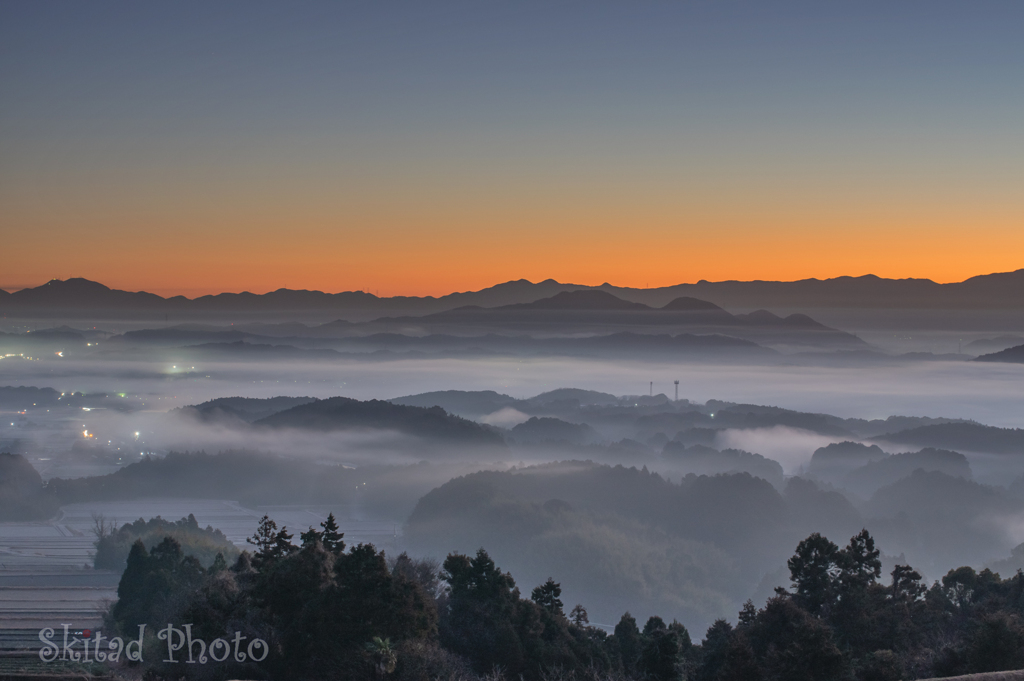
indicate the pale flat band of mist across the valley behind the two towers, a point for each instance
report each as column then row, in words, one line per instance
column 987, row 393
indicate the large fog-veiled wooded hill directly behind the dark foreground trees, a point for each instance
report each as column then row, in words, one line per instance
column 628, row 538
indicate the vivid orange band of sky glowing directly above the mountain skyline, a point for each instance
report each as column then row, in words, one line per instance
column 420, row 269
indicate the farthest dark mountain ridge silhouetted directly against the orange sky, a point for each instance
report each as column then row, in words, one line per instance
column 80, row 296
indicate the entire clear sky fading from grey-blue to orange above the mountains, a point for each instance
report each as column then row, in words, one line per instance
column 423, row 148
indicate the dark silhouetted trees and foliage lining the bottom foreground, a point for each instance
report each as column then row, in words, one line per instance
column 328, row 613
